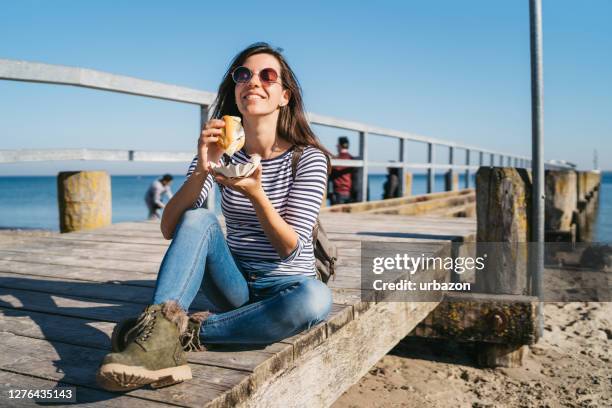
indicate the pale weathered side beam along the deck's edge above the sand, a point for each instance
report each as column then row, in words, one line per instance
column 369, row 338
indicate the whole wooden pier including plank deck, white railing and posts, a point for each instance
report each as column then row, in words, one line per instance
column 60, row 296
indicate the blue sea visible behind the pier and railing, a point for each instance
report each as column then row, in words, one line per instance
column 30, row 202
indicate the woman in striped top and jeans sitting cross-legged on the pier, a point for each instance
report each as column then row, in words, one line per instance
column 262, row 280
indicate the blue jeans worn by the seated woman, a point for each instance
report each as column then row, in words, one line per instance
column 249, row 309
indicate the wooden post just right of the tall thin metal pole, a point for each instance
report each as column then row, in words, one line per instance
column 560, row 205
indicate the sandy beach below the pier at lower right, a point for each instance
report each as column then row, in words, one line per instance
column 569, row 367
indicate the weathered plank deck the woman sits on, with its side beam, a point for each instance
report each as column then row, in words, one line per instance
column 61, row 295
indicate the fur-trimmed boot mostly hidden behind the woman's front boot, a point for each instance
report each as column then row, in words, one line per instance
column 123, row 333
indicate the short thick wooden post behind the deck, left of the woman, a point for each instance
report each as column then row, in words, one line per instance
column 84, row 199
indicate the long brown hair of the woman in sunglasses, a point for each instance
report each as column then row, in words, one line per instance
column 292, row 123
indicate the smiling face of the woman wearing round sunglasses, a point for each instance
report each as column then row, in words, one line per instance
column 257, row 98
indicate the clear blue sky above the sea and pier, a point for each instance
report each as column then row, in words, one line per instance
column 454, row 70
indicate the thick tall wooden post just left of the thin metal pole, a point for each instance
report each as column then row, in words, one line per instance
column 503, row 202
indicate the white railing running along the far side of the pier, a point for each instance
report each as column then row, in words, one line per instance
column 87, row 78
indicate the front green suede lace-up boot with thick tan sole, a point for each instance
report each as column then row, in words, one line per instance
column 153, row 355
